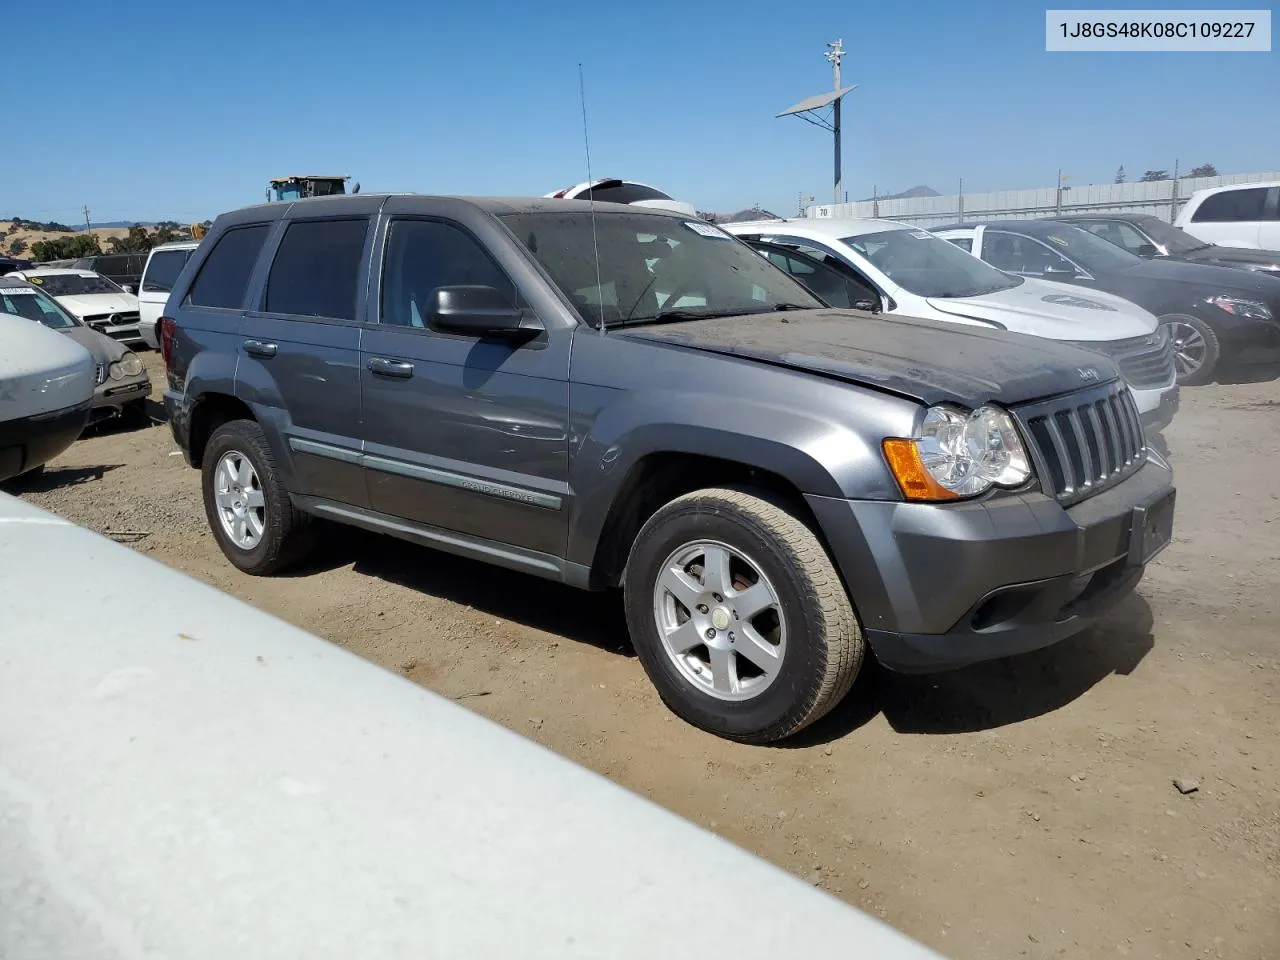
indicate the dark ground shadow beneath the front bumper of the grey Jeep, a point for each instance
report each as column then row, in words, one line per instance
column 995, row 694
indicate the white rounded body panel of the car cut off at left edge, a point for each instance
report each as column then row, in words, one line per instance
column 42, row 371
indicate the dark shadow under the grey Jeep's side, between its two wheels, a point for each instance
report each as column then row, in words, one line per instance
column 582, row 616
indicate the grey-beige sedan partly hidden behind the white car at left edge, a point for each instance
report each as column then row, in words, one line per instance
column 121, row 383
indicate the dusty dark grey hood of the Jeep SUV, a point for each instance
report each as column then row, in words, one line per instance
column 931, row 363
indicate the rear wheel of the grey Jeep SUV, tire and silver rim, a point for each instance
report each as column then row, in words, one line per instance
column 249, row 509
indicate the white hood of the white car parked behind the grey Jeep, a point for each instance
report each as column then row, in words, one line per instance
column 1057, row 312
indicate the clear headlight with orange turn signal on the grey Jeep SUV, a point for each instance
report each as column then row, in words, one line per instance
column 959, row 455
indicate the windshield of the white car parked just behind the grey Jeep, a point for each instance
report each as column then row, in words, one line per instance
column 930, row 267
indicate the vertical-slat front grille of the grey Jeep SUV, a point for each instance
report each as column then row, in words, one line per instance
column 1086, row 442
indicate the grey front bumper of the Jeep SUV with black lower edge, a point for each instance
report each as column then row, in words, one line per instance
column 940, row 587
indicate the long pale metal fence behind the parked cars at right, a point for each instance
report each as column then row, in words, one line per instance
column 1159, row 198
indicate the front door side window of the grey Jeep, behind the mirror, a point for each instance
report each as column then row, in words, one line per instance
column 423, row 255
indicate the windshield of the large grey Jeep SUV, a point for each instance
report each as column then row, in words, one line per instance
column 637, row 268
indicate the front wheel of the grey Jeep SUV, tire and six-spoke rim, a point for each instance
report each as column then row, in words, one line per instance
column 739, row 616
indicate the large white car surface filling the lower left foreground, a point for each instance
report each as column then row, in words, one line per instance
column 193, row 779
